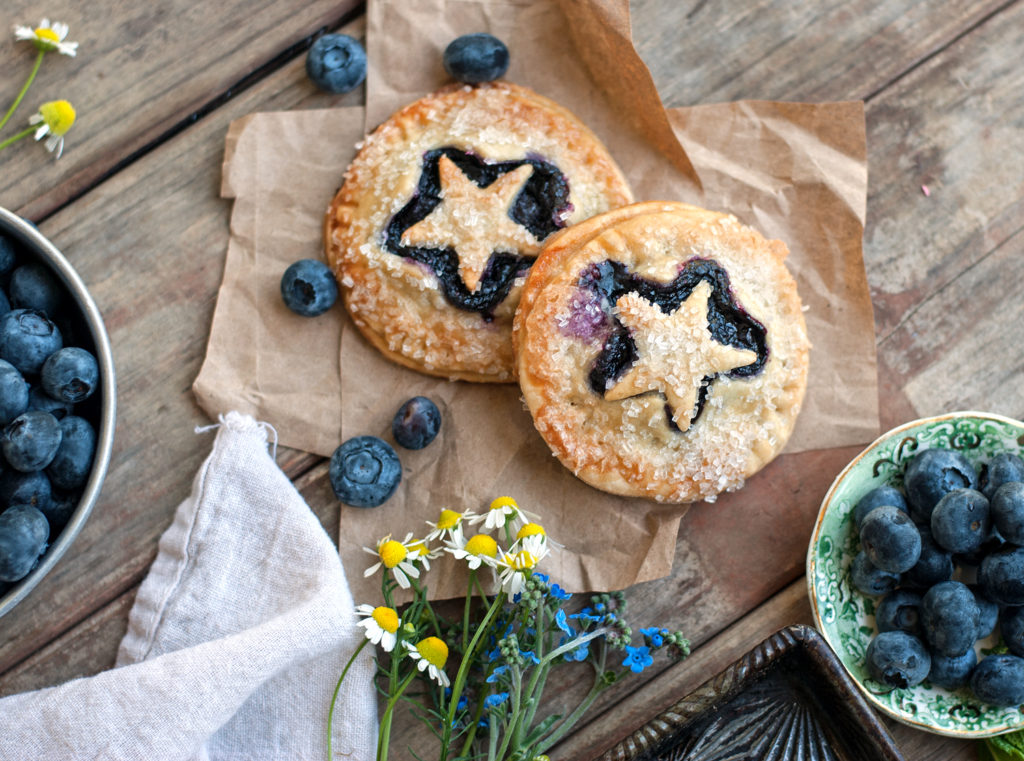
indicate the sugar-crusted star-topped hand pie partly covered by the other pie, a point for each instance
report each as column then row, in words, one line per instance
column 443, row 213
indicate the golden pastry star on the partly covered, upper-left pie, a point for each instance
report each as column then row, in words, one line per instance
column 475, row 221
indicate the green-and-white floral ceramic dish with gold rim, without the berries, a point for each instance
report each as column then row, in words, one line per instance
column 846, row 618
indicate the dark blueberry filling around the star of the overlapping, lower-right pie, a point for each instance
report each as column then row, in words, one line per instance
column 729, row 322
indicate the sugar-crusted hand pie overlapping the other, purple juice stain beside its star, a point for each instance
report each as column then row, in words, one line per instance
column 662, row 351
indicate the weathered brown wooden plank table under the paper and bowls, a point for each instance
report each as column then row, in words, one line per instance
column 135, row 205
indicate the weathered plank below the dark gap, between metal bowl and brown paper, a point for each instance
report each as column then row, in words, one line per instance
column 150, row 245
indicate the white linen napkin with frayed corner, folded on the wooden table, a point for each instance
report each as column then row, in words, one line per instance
column 236, row 641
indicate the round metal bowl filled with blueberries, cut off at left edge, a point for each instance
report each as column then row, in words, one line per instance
column 57, row 407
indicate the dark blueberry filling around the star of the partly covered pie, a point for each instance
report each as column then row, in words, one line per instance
column 540, row 207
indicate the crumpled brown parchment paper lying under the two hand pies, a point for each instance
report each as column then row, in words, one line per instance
column 796, row 172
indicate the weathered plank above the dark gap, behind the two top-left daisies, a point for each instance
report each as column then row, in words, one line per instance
column 141, row 70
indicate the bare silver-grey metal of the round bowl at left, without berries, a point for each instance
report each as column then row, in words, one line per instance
column 101, row 412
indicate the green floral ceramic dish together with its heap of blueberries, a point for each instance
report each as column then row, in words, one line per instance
column 916, row 573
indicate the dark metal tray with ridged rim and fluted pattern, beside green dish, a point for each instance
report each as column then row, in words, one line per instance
column 789, row 699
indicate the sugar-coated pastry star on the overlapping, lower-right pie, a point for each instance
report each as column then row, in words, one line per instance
column 674, row 352
